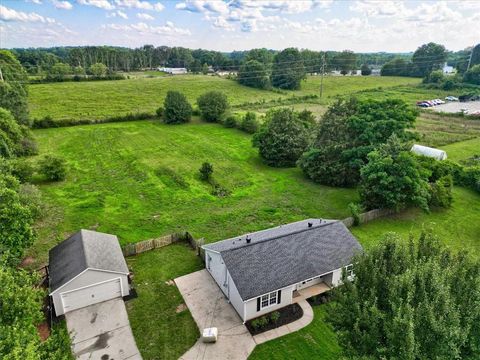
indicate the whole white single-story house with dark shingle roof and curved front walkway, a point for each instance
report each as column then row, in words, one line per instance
column 263, row 271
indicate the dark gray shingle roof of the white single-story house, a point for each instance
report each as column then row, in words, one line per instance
column 288, row 257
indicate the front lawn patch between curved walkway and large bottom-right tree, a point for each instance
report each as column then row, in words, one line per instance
column 316, row 341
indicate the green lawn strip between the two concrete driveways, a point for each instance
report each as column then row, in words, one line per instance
column 161, row 332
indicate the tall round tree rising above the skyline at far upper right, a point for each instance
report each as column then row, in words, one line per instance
column 429, row 57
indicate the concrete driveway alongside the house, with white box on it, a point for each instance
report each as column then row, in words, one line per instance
column 209, row 308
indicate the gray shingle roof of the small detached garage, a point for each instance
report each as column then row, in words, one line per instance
column 84, row 249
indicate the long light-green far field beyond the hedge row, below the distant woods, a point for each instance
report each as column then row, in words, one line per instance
column 102, row 99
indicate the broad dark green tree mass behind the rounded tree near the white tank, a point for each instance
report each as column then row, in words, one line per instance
column 349, row 130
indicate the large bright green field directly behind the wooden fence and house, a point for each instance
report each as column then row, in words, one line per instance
column 139, row 180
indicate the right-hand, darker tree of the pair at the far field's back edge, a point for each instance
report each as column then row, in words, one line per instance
column 288, row 69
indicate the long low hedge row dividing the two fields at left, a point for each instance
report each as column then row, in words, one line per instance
column 49, row 122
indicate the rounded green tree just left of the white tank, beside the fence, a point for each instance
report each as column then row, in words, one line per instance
column 392, row 179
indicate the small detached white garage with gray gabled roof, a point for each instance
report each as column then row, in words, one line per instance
column 85, row 269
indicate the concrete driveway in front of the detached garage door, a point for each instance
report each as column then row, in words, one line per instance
column 102, row 332
